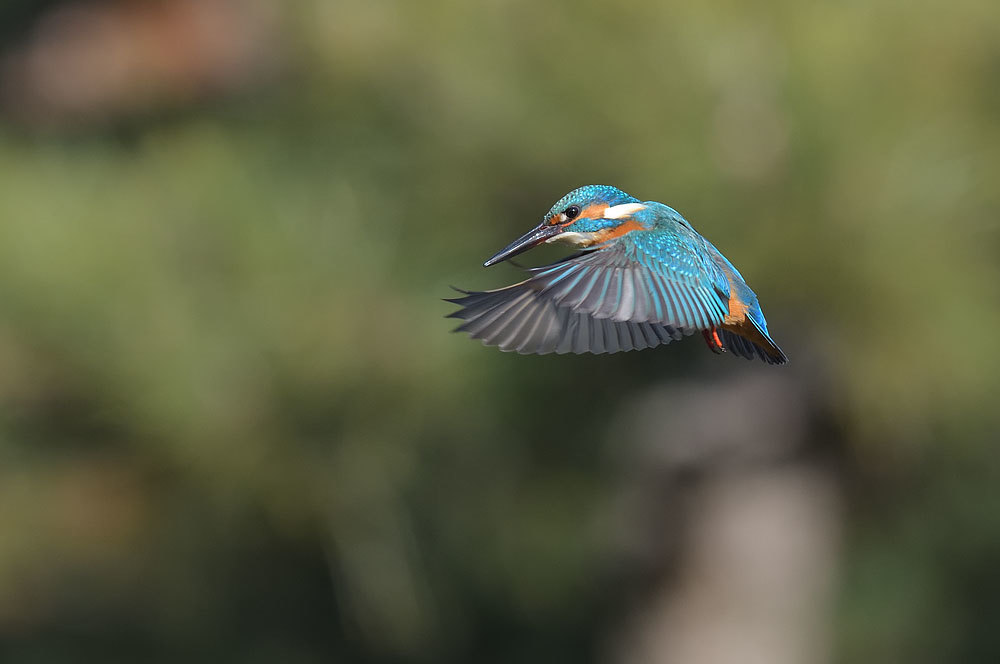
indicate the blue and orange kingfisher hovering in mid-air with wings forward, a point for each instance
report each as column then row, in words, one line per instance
column 642, row 277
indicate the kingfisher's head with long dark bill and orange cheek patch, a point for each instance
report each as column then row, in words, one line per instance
column 584, row 217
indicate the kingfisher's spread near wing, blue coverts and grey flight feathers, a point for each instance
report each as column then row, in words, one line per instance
column 638, row 292
